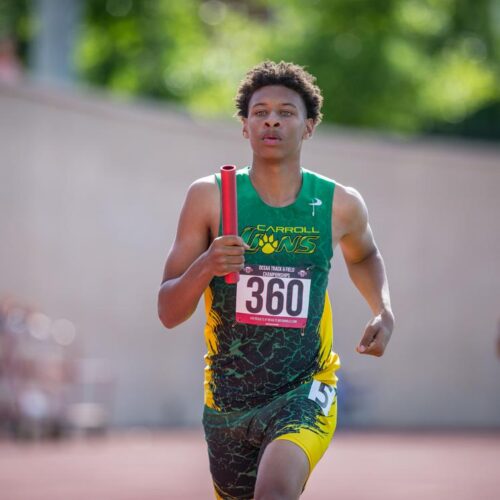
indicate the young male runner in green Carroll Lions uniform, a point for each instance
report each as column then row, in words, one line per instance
column 270, row 383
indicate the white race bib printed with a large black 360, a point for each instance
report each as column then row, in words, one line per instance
column 273, row 296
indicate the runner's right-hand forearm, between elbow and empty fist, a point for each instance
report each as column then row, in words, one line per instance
column 370, row 279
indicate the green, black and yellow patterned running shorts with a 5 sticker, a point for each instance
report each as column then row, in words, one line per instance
column 306, row 416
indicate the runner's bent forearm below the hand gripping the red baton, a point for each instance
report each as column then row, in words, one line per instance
column 178, row 297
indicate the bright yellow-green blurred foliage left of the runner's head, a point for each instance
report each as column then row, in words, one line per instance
column 189, row 51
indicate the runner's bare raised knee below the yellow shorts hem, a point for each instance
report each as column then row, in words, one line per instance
column 283, row 472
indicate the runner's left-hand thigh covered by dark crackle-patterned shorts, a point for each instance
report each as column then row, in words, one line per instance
column 233, row 459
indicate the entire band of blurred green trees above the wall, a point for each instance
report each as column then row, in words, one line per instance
column 406, row 66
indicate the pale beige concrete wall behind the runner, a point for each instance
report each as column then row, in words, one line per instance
column 90, row 193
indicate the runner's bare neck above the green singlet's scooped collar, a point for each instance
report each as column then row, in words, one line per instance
column 278, row 185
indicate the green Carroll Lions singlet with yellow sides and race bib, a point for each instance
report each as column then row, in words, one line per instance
column 273, row 332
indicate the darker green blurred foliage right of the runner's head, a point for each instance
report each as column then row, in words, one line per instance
column 402, row 65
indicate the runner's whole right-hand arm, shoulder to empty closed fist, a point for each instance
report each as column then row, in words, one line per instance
column 365, row 265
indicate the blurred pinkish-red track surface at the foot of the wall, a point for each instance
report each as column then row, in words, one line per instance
column 173, row 466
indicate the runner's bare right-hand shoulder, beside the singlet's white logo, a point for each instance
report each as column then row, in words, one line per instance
column 349, row 212
